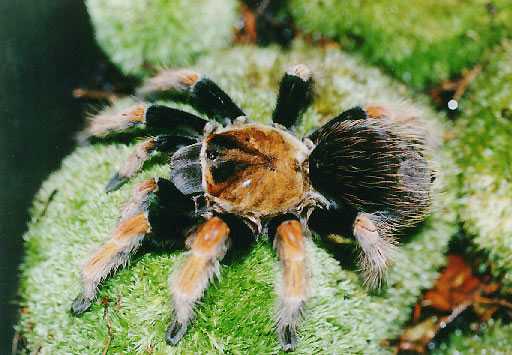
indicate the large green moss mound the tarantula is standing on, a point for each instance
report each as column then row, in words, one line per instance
column 236, row 315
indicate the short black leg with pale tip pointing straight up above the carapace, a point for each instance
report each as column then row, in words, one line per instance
column 295, row 95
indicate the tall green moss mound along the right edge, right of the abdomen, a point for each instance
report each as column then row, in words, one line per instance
column 484, row 155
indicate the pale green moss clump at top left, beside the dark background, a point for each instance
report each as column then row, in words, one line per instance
column 140, row 36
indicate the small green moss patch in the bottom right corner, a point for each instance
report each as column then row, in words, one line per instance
column 494, row 338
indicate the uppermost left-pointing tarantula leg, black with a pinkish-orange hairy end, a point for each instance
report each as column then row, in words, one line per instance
column 199, row 91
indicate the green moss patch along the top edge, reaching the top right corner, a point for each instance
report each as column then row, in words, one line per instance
column 421, row 42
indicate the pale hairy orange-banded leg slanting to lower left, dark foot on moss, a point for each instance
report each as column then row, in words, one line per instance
column 125, row 240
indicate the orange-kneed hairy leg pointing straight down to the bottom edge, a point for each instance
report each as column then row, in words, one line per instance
column 293, row 288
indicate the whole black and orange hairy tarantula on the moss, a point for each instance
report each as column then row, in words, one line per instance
column 367, row 167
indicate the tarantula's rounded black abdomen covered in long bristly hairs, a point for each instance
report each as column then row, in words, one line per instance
column 375, row 164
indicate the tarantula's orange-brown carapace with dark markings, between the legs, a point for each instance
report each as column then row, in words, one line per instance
column 254, row 169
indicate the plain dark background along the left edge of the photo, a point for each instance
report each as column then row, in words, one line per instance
column 46, row 50
